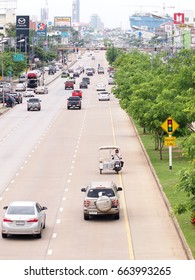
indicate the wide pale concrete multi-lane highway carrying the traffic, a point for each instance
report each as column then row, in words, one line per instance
column 48, row 156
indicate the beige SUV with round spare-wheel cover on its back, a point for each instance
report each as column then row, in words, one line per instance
column 101, row 198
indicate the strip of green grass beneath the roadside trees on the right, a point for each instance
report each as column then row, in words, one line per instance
column 168, row 180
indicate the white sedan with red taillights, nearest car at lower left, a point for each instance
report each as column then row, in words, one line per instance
column 23, row 217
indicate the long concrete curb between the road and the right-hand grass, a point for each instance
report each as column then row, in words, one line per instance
column 173, row 218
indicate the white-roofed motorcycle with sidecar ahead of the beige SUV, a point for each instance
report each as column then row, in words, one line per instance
column 110, row 159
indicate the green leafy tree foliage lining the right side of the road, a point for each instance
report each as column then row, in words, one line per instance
column 150, row 90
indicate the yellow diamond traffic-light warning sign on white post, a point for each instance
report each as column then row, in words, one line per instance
column 170, row 126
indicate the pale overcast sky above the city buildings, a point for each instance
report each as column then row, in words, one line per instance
column 114, row 13
